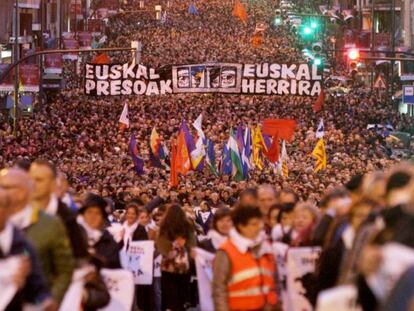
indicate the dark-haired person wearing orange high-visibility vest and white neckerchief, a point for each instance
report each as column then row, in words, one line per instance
column 244, row 267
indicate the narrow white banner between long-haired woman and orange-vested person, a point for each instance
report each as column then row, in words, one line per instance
column 204, row 268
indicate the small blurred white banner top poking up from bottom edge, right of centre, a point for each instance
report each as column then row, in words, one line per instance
column 341, row 298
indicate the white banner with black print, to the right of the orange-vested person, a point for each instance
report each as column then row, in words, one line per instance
column 301, row 264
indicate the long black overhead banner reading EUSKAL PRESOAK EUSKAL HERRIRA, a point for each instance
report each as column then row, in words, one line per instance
column 260, row 79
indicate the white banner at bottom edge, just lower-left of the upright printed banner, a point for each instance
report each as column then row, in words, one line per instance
column 120, row 284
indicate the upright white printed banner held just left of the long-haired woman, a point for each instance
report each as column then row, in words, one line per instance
column 140, row 261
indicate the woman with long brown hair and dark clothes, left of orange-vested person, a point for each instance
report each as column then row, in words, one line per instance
column 175, row 240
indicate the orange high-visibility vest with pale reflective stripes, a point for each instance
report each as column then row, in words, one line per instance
column 252, row 284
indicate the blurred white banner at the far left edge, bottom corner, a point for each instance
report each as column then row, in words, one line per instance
column 8, row 268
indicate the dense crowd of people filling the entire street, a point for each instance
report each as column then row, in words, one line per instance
column 352, row 210
